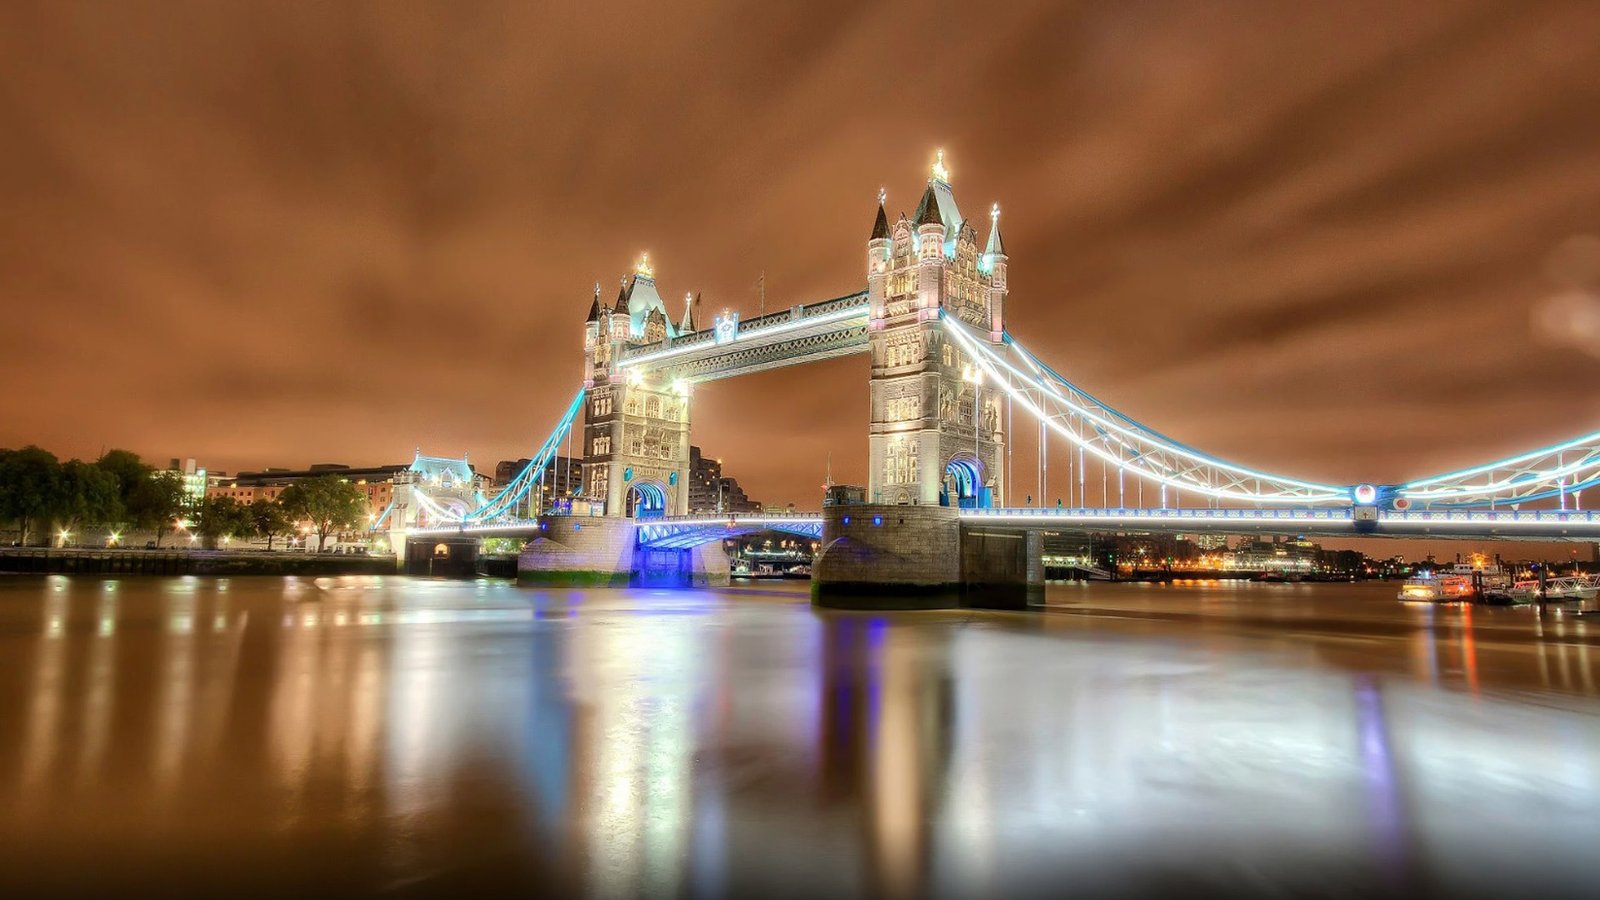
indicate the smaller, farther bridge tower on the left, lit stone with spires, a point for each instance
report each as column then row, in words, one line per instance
column 636, row 428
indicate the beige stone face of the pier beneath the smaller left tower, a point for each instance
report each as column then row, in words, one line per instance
column 582, row 552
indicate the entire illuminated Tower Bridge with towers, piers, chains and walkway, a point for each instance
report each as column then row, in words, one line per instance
column 948, row 387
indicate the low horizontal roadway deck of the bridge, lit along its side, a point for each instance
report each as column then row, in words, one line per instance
column 1329, row 523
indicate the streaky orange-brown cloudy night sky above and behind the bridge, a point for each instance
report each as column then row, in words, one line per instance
column 1346, row 241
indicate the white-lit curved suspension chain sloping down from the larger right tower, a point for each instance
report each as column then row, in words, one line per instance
column 1119, row 441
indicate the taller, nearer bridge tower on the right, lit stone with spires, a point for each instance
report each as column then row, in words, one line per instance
column 937, row 428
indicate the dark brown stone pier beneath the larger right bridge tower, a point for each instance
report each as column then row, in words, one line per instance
column 924, row 558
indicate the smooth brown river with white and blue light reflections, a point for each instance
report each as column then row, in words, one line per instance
column 414, row 737
